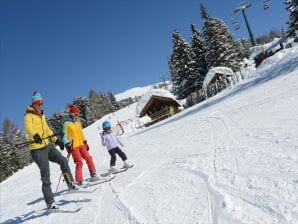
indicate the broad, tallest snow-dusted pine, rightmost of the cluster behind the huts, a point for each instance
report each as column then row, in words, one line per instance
column 222, row 49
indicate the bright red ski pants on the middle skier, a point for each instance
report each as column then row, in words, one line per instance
column 78, row 154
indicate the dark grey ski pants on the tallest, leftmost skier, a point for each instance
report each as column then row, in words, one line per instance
column 42, row 157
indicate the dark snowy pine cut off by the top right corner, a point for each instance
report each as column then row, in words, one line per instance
column 292, row 7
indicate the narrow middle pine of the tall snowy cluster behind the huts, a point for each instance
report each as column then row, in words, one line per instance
column 199, row 49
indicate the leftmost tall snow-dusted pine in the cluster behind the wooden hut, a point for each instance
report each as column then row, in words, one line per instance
column 182, row 68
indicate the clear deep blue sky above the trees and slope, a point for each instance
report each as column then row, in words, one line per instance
column 64, row 48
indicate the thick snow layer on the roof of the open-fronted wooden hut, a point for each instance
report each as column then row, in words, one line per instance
column 147, row 96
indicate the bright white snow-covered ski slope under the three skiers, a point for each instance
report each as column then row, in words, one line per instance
column 230, row 159
